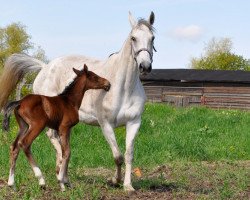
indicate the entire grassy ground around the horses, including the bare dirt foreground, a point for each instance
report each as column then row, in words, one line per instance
column 194, row 153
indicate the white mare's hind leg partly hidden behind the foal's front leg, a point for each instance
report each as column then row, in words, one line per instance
column 55, row 140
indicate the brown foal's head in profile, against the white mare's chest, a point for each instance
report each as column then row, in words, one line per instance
column 92, row 80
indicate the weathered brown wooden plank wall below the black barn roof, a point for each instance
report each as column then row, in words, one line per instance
column 214, row 97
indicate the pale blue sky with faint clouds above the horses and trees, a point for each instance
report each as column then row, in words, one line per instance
column 98, row 28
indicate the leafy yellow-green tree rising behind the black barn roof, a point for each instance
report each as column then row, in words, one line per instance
column 218, row 56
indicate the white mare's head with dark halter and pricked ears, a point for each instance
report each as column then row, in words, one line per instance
column 142, row 42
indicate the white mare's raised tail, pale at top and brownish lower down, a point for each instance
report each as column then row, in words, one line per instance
column 16, row 66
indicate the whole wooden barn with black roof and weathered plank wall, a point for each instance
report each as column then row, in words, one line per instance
column 187, row 87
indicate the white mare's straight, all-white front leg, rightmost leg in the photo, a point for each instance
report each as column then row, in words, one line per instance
column 132, row 128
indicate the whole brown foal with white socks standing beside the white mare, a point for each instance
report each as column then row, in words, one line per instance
column 34, row 112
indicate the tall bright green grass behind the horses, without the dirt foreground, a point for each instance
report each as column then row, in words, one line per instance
column 167, row 135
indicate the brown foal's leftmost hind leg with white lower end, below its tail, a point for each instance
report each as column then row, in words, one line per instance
column 14, row 149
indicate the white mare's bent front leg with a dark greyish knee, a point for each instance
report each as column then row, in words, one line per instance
column 109, row 134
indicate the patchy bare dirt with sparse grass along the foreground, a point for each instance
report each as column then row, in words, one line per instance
column 189, row 180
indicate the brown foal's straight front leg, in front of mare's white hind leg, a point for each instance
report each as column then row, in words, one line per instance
column 63, row 175
